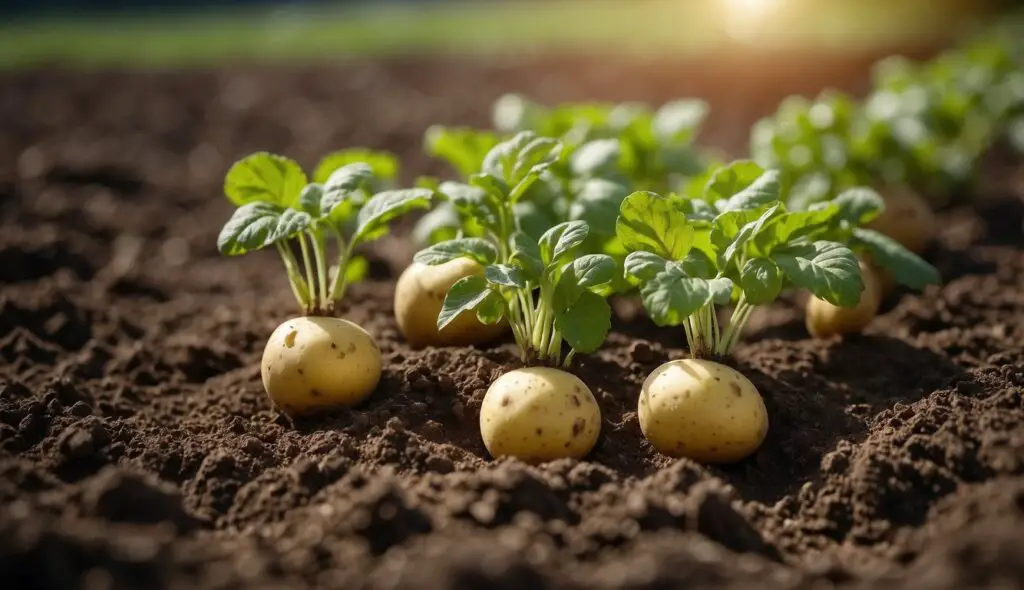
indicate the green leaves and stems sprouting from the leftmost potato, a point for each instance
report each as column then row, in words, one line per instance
column 350, row 201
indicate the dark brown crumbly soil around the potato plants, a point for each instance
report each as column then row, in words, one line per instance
column 138, row 449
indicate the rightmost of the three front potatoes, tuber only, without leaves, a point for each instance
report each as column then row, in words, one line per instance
column 702, row 410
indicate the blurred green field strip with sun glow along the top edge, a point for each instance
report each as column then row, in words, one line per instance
column 180, row 32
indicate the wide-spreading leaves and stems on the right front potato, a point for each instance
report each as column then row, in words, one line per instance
column 737, row 242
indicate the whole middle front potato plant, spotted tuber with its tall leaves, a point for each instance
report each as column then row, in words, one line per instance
column 551, row 296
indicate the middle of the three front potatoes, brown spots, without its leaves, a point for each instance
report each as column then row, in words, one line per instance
column 540, row 414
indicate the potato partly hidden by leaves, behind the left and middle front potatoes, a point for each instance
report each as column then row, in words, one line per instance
column 418, row 299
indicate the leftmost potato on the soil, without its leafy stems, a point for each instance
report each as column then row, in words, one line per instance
column 312, row 363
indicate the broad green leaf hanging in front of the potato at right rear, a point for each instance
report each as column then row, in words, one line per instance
column 828, row 270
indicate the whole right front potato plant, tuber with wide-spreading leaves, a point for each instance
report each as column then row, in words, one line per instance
column 738, row 243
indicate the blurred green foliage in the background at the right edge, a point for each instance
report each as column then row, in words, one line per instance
column 926, row 125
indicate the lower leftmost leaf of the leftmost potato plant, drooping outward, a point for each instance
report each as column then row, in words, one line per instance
column 259, row 225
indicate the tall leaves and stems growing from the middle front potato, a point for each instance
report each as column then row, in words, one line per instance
column 546, row 286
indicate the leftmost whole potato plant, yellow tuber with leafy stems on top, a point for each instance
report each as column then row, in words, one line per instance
column 316, row 360
